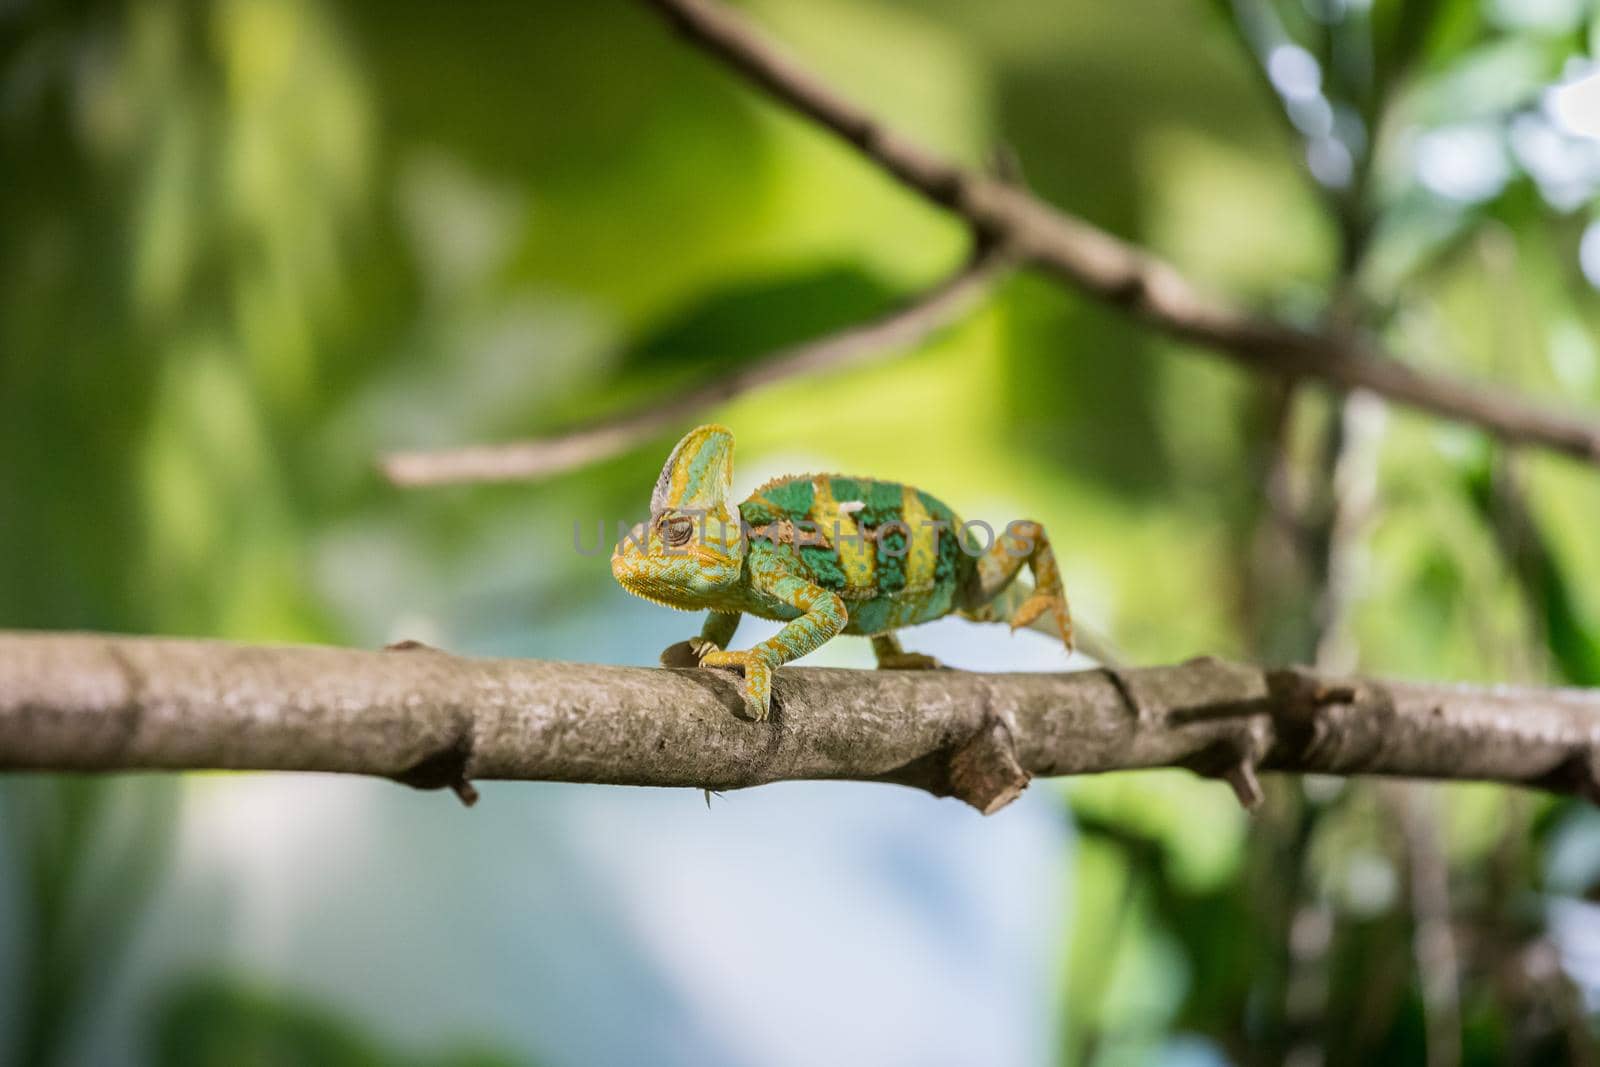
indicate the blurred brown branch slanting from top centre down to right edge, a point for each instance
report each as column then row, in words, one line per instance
column 1114, row 271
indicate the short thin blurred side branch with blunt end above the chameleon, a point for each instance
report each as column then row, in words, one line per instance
column 548, row 457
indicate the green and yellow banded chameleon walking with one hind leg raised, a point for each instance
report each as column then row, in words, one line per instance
column 828, row 556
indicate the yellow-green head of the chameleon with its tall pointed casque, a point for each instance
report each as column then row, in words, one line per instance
column 692, row 549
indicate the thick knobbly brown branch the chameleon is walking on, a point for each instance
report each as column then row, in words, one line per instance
column 98, row 703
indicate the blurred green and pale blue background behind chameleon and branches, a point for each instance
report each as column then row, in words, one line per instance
column 250, row 246
